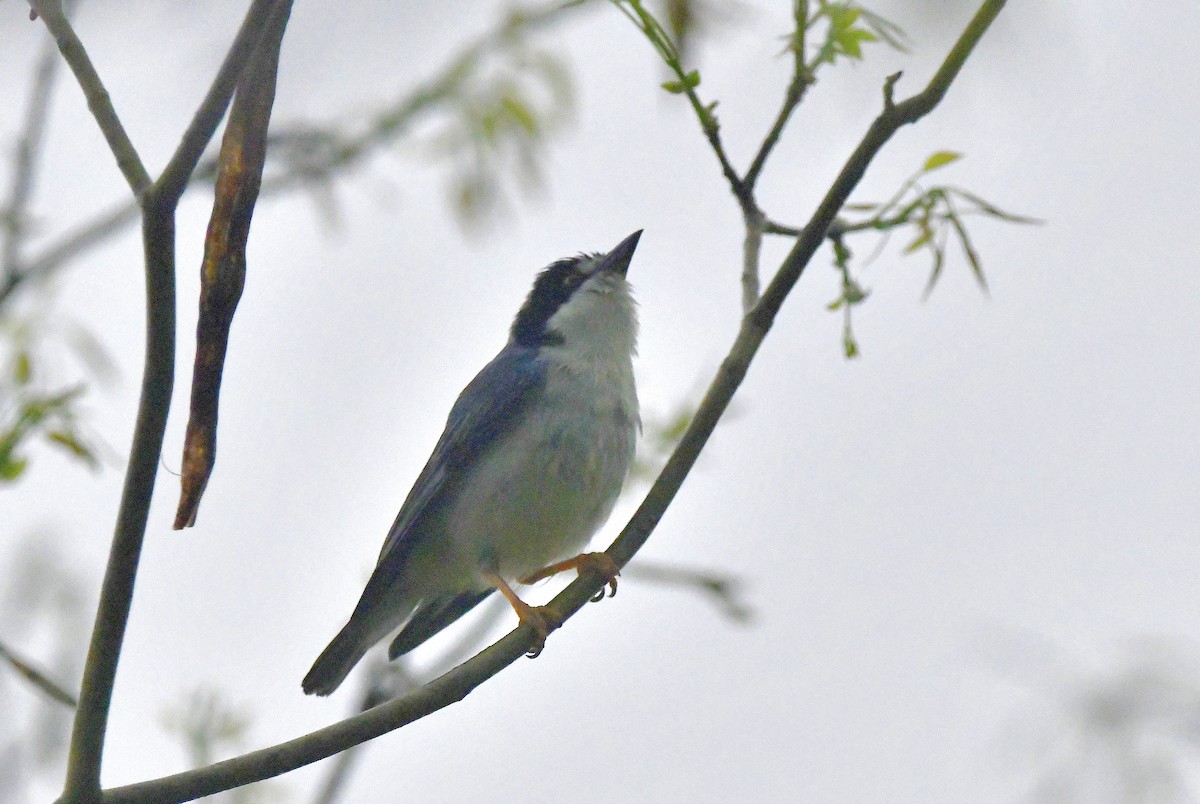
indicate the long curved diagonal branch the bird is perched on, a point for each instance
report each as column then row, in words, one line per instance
column 457, row 685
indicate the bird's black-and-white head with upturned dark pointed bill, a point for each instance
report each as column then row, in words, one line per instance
column 583, row 305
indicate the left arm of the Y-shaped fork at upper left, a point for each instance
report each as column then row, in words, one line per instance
column 99, row 103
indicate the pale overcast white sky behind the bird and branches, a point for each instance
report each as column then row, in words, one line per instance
column 989, row 477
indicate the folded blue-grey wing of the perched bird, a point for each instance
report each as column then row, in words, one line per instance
column 491, row 401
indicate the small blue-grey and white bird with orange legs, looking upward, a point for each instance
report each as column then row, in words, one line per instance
column 535, row 455
